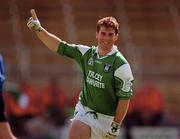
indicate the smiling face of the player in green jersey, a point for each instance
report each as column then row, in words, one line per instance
column 106, row 38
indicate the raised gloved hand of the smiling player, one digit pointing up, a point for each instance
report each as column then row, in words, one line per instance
column 33, row 22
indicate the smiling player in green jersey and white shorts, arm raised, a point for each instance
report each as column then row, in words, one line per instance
column 107, row 80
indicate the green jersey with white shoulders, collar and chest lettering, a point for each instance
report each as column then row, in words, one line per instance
column 105, row 79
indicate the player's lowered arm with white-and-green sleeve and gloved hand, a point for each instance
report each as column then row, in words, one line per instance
column 123, row 83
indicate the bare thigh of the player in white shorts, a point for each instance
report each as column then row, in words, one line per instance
column 79, row 130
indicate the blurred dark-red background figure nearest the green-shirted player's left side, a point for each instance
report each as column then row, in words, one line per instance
column 54, row 102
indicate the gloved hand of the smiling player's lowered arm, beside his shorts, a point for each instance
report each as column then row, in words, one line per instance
column 114, row 131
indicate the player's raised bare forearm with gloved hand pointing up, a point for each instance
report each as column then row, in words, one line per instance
column 50, row 40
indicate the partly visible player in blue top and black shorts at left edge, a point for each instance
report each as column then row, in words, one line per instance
column 5, row 131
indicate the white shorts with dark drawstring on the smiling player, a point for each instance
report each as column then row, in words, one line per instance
column 99, row 123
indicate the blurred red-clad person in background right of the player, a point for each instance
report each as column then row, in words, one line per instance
column 149, row 106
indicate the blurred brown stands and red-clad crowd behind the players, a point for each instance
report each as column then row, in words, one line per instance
column 42, row 88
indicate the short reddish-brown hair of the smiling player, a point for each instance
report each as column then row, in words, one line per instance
column 108, row 22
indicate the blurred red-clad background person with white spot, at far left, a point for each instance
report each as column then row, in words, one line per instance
column 22, row 104
